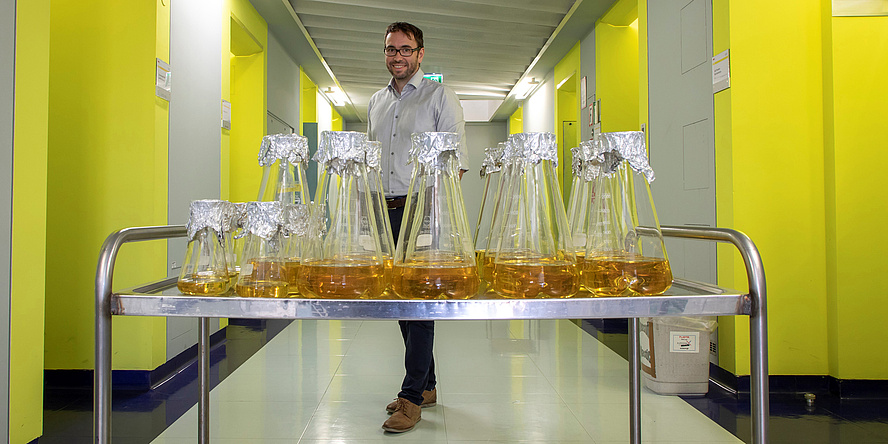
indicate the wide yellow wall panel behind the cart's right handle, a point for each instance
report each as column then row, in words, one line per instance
column 777, row 170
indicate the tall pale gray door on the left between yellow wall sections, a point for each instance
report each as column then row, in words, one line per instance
column 195, row 133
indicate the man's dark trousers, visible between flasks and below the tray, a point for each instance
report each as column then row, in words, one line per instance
column 419, row 339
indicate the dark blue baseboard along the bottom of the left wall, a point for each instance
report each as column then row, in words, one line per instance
column 136, row 380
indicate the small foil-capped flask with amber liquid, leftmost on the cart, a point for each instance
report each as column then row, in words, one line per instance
column 204, row 271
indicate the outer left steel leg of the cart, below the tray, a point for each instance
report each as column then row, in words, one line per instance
column 102, row 375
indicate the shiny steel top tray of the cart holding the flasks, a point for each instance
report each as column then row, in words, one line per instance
column 685, row 298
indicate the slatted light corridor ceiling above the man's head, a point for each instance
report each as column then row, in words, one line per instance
column 482, row 47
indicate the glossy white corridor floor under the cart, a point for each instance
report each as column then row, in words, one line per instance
column 327, row 382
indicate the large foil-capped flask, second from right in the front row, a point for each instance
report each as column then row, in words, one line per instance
column 534, row 257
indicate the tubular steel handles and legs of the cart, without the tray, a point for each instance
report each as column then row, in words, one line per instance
column 757, row 325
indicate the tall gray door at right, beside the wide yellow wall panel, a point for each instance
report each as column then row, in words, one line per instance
column 682, row 146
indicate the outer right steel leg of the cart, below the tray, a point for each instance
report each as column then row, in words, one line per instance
column 758, row 332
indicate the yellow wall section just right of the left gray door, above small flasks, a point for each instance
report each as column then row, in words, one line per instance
column 245, row 67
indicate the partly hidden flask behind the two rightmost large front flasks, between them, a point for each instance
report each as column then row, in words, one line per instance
column 582, row 194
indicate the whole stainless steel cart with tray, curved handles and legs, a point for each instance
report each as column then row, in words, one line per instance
column 685, row 298
